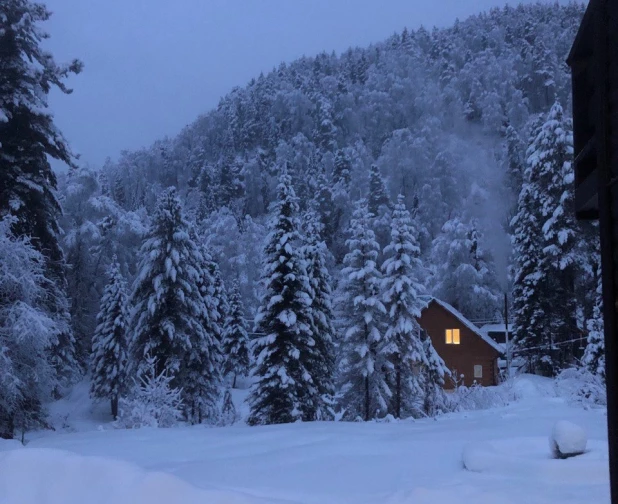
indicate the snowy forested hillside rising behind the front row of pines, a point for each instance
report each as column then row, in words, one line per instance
column 444, row 114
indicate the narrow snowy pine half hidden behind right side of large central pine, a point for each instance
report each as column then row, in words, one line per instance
column 322, row 368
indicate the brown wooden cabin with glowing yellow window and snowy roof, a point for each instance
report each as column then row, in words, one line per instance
column 463, row 347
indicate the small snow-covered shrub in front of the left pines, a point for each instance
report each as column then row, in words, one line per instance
column 152, row 403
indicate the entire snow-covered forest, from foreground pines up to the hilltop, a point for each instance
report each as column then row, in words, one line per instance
column 292, row 234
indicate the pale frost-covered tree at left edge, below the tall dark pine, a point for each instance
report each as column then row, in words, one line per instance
column 27, row 331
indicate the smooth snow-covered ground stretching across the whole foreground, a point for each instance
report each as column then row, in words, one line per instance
column 506, row 450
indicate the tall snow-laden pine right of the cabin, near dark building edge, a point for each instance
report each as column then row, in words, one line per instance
column 545, row 237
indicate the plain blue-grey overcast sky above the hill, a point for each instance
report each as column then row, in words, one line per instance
column 152, row 66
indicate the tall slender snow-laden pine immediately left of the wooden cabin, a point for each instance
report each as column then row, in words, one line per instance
column 401, row 287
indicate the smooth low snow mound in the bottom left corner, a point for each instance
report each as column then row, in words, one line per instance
column 43, row 476
